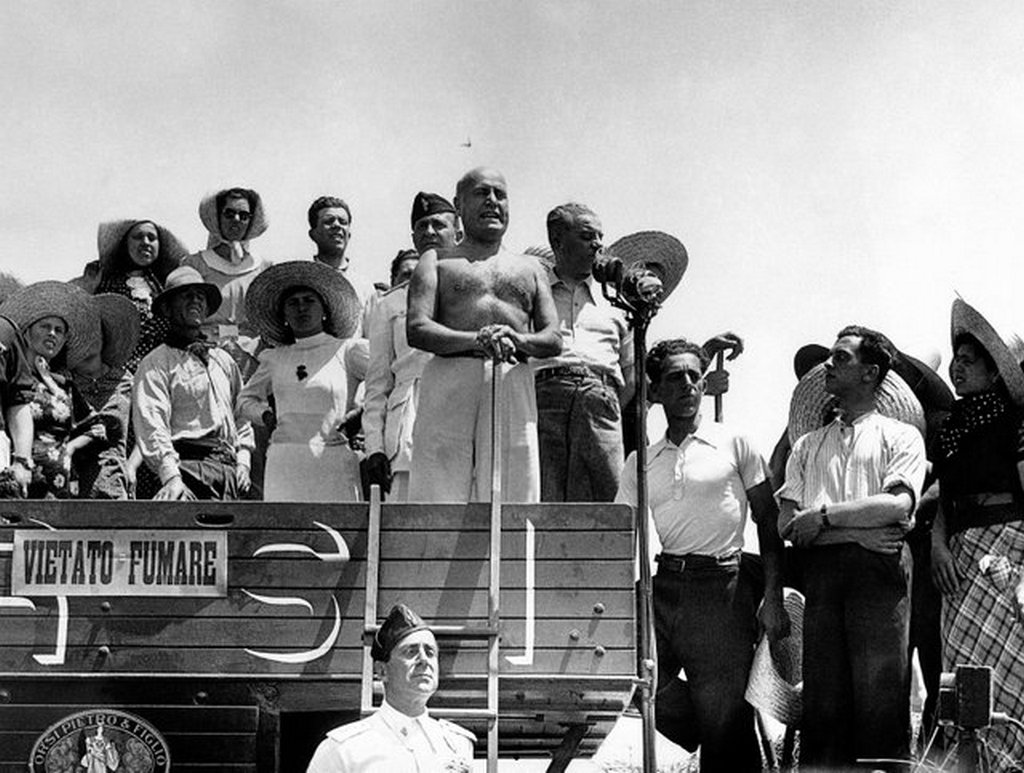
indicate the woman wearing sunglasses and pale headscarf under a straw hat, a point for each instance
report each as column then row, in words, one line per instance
column 233, row 218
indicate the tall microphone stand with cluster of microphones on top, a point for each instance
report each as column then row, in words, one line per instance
column 639, row 313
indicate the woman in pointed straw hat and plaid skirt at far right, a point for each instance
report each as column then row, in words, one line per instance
column 978, row 537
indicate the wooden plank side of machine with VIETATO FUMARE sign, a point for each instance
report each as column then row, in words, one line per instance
column 287, row 634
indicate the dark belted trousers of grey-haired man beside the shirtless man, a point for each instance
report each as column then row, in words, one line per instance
column 580, row 430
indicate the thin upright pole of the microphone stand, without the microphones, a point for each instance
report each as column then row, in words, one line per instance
column 649, row 670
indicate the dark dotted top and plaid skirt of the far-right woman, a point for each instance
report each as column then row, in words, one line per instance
column 983, row 625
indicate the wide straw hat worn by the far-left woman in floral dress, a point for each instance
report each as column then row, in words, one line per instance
column 64, row 300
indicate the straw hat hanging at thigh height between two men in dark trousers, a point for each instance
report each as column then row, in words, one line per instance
column 777, row 682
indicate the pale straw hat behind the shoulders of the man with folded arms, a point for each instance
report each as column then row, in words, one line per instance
column 812, row 407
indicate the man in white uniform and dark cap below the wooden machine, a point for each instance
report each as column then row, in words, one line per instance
column 402, row 737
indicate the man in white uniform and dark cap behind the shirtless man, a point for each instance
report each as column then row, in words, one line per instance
column 390, row 409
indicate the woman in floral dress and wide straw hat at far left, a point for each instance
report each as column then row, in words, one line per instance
column 61, row 329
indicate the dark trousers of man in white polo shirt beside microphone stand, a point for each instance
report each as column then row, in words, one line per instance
column 705, row 622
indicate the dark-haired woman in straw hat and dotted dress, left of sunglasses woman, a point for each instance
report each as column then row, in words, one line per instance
column 136, row 257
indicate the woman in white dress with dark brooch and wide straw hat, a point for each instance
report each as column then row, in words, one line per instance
column 304, row 389
